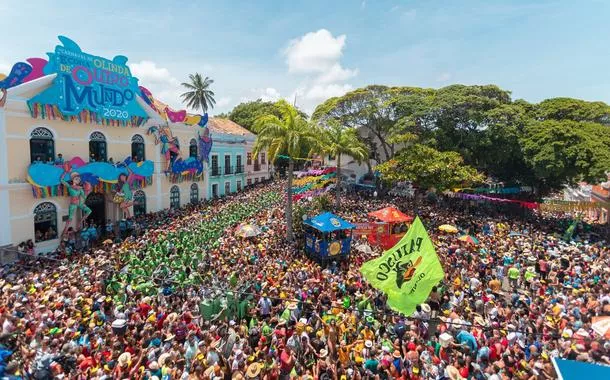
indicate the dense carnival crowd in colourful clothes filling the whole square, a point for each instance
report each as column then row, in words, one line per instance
column 189, row 299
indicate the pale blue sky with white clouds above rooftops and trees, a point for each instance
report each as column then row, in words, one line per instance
column 317, row 49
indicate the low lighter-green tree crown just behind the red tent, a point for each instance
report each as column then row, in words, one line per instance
column 428, row 167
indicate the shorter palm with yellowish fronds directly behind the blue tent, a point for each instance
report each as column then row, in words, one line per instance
column 336, row 141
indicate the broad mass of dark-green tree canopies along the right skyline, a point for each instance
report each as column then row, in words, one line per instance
column 546, row 145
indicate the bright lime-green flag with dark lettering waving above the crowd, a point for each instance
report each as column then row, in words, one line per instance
column 406, row 272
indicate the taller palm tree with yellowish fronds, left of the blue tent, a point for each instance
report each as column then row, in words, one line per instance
column 287, row 135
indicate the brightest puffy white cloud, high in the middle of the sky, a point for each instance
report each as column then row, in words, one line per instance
column 314, row 52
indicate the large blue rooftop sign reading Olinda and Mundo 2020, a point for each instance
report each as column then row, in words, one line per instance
column 86, row 82
